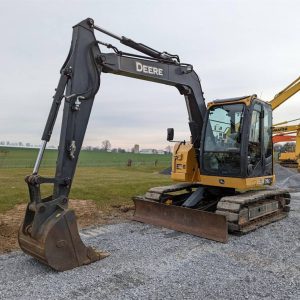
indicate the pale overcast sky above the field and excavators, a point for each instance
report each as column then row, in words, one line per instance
column 237, row 47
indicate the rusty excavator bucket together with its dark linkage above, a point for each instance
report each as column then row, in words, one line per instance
column 49, row 231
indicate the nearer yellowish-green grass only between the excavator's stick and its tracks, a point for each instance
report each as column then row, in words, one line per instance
column 110, row 186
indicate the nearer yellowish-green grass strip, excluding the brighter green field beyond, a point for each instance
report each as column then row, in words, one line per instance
column 106, row 185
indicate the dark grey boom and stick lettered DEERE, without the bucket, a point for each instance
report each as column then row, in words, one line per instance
column 81, row 76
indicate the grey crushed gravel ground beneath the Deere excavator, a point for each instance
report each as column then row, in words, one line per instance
column 148, row 262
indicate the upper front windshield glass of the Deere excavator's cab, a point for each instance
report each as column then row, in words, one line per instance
column 223, row 131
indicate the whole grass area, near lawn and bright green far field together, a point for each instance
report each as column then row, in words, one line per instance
column 103, row 177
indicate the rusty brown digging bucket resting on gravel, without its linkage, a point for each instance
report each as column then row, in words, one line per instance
column 57, row 242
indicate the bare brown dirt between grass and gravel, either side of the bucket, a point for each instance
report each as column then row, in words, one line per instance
column 86, row 211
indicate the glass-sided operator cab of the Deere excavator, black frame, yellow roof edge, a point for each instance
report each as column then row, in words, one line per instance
column 237, row 138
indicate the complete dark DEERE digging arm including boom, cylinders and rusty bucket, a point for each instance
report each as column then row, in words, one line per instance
column 49, row 231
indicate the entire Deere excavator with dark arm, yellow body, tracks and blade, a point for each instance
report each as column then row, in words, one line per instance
column 223, row 174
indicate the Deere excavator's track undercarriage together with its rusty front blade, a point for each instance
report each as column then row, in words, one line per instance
column 210, row 212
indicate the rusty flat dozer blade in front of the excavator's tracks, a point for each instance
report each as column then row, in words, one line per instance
column 196, row 222
